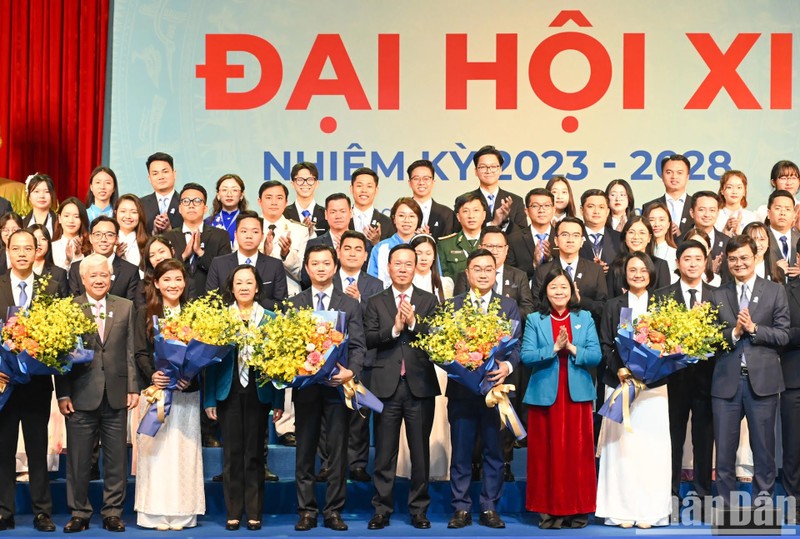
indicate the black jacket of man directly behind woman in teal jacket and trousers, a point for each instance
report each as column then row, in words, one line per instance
column 270, row 273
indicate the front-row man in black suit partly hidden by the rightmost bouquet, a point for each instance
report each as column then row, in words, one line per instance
column 690, row 388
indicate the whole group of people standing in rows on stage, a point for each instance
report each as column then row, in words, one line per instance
column 564, row 279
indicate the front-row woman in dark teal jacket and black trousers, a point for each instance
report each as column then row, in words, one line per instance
column 233, row 395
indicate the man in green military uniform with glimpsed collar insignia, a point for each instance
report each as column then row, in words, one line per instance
column 454, row 249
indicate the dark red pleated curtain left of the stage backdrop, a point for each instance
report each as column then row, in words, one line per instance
column 52, row 89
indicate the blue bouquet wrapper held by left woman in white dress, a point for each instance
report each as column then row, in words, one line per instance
column 177, row 360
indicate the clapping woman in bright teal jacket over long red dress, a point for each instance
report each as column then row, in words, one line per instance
column 560, row 345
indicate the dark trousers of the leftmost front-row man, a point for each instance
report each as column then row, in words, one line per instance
column 34, row 414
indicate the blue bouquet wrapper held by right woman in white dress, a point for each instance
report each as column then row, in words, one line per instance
column 646, row 365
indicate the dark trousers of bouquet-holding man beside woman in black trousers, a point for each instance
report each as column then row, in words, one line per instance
column 311, row 405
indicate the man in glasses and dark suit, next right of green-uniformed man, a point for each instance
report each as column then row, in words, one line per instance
column 532, row 246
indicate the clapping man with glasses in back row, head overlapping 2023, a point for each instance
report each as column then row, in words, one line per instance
column 506, row 209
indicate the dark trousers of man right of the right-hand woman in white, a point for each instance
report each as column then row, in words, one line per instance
column 689, row 393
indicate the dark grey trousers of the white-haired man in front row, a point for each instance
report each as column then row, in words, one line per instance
column 83, row 428
